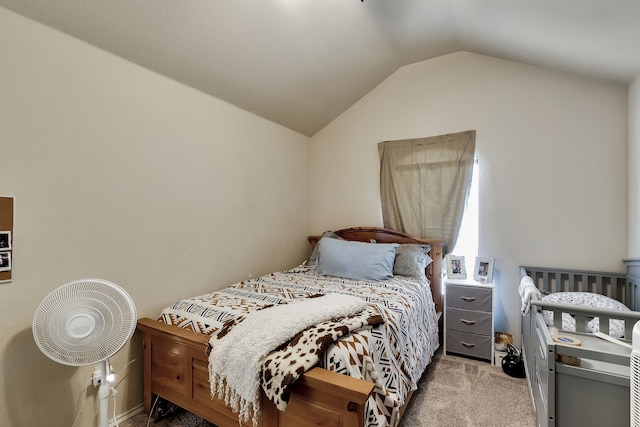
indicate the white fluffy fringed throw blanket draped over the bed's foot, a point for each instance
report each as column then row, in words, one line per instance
column 238, row 350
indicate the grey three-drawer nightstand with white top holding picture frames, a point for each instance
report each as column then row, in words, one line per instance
column 468, row 318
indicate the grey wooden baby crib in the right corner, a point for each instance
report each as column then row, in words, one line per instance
column 576, row 377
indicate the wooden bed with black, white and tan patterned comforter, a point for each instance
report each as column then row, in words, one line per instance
column 340, row 393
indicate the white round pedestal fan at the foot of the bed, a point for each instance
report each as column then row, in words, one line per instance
column 85, row 322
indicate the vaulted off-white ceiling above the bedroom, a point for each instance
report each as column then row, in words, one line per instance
column 301, row 63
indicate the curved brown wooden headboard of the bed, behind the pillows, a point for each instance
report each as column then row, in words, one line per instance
column 383, row 235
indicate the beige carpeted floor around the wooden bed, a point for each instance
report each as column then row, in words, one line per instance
column 453, row 392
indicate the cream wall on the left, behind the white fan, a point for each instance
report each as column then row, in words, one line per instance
column 122, row 174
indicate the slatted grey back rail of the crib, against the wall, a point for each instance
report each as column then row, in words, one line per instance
column 613, row 285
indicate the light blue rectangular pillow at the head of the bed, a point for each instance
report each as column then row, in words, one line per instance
column 356, row 260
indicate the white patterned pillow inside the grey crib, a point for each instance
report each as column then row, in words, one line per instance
column 586, row 299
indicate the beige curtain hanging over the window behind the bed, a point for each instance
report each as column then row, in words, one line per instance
column 424, row 184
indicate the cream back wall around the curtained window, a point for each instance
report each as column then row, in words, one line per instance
column 552, row 150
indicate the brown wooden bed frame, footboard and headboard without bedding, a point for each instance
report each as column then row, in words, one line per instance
column 176, row 366
